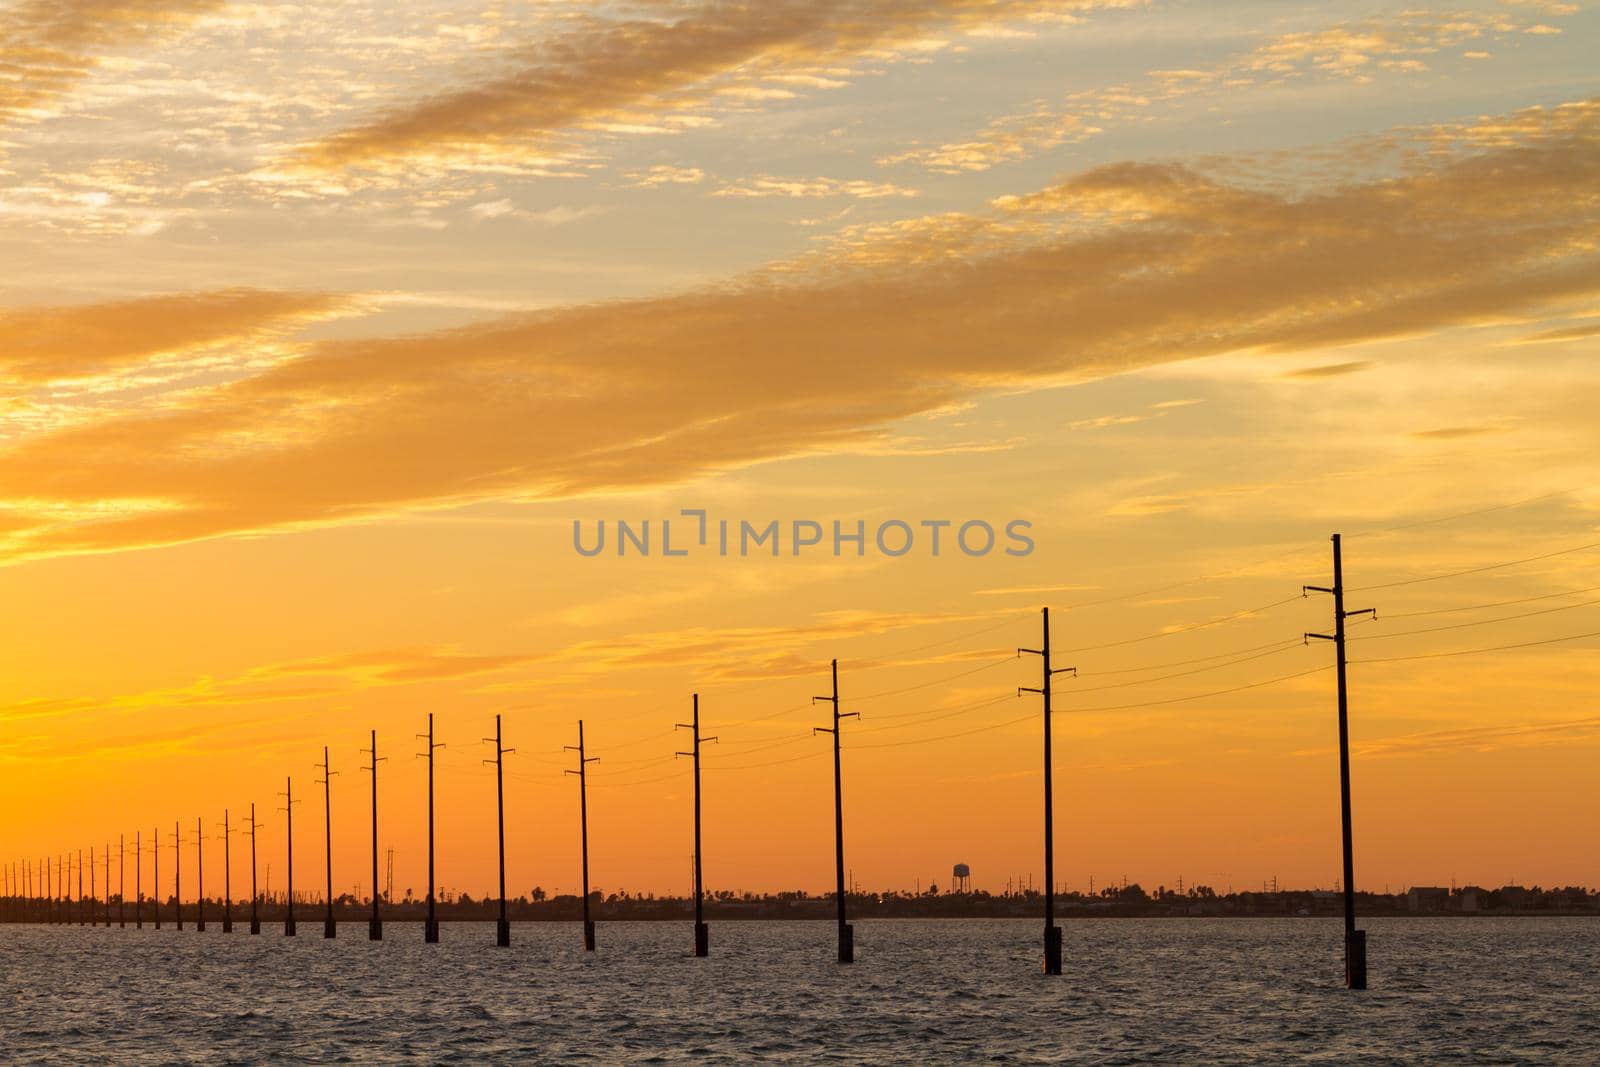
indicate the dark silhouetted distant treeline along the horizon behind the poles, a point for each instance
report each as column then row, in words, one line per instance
column 1114, row 901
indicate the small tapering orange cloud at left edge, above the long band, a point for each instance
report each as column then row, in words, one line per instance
column 44, row 345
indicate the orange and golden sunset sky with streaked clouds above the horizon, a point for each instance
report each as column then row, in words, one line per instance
column 324, row 327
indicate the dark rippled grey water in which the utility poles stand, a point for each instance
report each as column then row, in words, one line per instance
column 1183, row 991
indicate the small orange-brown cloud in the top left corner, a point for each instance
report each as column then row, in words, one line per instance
column 50, row 46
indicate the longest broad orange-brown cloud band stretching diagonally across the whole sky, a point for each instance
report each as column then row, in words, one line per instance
column 1106, row 271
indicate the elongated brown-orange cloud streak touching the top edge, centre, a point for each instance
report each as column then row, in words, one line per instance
column 649, row 74
